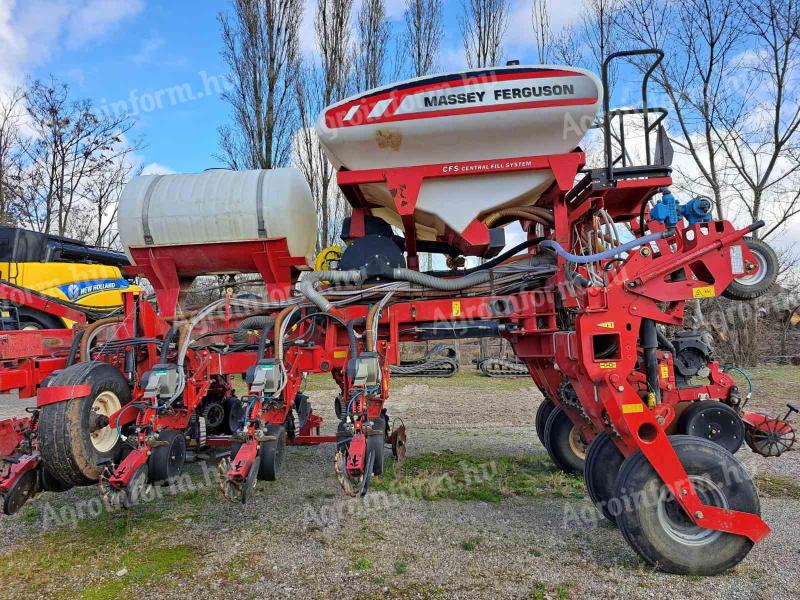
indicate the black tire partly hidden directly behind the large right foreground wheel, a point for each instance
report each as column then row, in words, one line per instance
column 603, row 462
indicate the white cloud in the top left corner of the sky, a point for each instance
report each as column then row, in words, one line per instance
column 32, row 30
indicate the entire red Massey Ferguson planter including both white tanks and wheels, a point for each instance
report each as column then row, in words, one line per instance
column 652, row 422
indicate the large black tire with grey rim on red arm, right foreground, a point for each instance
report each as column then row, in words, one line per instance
column 644, row 531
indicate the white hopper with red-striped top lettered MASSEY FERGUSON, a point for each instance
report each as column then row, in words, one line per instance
column 490, row 115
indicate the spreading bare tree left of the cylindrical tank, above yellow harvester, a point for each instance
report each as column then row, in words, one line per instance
column 72, row 146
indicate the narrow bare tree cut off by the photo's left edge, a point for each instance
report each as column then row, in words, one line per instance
column 11, row 151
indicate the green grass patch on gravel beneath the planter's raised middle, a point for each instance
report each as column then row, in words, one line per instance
column 467, row 477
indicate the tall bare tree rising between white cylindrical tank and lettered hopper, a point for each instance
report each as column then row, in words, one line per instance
column 321, row 84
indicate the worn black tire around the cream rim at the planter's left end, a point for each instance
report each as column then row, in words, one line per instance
column 64, row 435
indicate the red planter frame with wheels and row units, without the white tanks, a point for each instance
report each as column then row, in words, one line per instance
column 579, row 308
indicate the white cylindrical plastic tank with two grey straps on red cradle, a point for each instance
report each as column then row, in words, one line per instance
column 219, row 206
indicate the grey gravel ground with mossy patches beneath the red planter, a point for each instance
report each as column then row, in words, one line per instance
column 303, row 536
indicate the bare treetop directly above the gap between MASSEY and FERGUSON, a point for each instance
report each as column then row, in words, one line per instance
column 483, row 25
